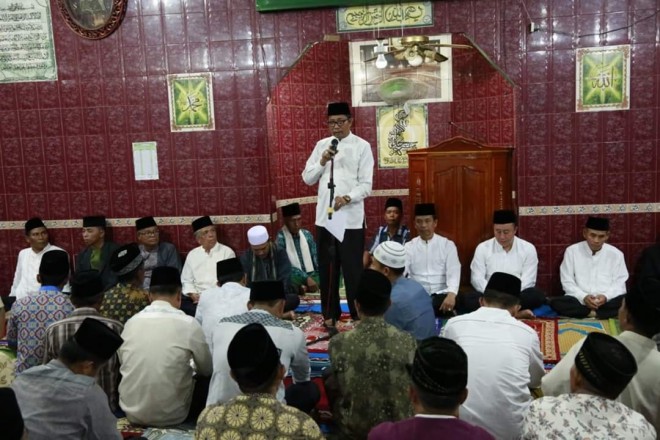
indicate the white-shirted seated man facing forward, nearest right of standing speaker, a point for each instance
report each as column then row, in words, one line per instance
column 432, row 261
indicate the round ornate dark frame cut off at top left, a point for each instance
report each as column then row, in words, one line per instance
column 92, row 19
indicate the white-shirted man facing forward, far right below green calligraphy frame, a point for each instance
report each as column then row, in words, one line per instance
column 593, row 275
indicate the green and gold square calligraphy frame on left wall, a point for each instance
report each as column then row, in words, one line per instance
column 191, row 102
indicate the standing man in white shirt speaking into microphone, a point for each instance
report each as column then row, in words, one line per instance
column 345, row 170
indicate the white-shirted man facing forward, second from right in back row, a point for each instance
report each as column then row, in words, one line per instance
column 506, row 252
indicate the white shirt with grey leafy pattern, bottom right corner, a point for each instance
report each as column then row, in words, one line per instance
column 584, row 417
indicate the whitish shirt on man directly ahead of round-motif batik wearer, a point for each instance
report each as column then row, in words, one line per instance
column 288, row 338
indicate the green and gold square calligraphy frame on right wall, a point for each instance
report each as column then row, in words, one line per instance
column 602, row 78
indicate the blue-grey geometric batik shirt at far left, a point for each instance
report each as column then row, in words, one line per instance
column 30, row 316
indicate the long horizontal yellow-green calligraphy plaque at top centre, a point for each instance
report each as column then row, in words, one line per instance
column 401, row 15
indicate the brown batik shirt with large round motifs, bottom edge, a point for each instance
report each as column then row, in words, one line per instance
column 255, row 416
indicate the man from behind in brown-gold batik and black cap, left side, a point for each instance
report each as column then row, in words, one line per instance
column 127, row 297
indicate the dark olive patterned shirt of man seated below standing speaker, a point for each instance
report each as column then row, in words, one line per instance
column 370, row 367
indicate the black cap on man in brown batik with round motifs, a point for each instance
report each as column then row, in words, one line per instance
column 252, row 356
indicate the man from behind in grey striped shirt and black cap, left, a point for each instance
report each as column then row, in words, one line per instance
column 86, row 296
